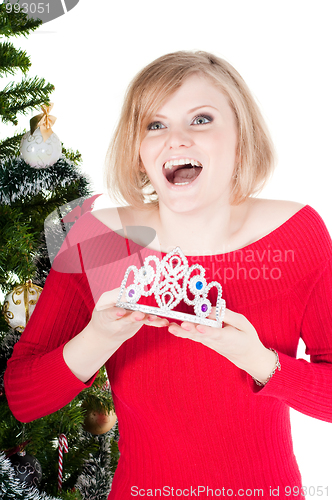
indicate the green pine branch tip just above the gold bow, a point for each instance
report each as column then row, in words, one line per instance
column 22, row 97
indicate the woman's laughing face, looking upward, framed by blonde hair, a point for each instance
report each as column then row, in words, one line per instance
column 189, row 149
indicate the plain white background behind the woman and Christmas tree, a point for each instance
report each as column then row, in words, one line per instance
column 282, row 49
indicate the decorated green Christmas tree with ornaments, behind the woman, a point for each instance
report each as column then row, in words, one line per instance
column 87, row 454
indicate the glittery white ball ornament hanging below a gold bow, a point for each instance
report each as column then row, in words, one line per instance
column 39, row 153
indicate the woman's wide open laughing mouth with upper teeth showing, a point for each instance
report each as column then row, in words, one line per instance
column 182, row 172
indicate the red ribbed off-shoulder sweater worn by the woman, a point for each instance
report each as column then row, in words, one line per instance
column 188, row 418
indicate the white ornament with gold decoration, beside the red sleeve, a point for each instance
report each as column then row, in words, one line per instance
column 20, row 303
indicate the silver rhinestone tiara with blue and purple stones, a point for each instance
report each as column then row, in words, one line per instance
column 169, row 280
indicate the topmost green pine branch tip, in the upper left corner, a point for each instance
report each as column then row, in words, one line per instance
column 14, row 23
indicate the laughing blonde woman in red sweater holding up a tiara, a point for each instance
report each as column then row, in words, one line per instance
column 202, row 411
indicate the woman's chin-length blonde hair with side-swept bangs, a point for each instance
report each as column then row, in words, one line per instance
column 152, row 86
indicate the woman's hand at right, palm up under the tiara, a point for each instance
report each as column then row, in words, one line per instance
column 238, row 341
